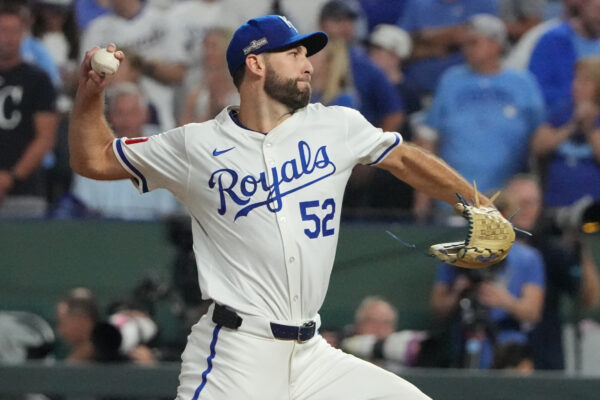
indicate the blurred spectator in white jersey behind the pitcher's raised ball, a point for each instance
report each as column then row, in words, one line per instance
column 141, row 29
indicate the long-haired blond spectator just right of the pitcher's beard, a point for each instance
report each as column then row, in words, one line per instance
column 332, row 80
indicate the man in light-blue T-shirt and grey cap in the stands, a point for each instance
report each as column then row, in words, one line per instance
column 483, row 115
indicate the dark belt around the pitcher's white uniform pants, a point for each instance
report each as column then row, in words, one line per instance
column 229, row 319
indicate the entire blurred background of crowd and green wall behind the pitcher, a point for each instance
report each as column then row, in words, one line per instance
column 99, row 282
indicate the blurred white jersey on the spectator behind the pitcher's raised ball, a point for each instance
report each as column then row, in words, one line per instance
column 149, row 36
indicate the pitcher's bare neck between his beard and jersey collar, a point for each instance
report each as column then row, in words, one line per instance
column 259, row 112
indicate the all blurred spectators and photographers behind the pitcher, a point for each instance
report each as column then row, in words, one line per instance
column 505, row 91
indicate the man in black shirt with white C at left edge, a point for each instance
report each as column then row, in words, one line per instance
column 28, row 123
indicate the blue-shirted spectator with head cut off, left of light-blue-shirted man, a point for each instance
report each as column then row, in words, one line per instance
column 437, row 29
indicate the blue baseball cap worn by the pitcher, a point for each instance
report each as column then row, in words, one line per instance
column 269, row 33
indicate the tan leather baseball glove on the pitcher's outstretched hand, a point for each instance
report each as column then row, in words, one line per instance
column 489, row 239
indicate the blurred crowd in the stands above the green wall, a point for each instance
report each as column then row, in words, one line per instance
column 494, row 87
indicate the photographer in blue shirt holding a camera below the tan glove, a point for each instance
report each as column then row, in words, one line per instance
column 489, row 307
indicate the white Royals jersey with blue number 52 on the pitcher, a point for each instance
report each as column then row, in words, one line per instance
column 265, row 208
